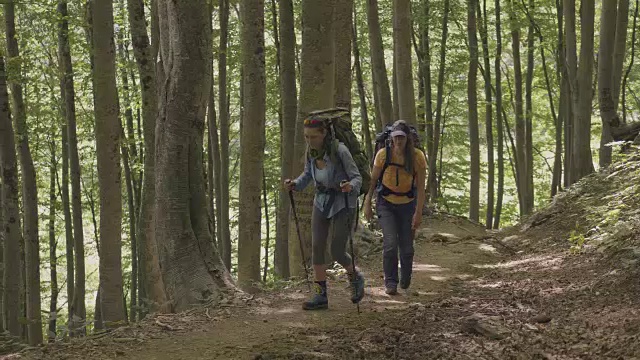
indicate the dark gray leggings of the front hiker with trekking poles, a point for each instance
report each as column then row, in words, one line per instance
column 340, row 235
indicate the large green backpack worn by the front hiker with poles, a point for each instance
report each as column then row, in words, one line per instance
column 338, row 122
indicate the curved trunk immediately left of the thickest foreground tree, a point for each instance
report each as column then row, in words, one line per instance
column 145, row 56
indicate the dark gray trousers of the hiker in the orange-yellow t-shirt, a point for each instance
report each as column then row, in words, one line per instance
column 395, row 221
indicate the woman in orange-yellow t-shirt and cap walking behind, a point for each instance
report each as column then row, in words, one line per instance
column 401, row 169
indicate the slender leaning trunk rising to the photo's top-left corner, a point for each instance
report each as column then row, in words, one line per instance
column 29, row 185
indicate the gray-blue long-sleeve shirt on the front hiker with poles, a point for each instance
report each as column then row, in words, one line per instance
column 346, row 169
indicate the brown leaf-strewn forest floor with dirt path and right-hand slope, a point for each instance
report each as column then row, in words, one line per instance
column 565, row 284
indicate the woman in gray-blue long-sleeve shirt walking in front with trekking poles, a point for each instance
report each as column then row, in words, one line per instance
column 330, row 165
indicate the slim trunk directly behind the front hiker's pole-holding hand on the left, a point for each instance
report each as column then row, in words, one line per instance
column 289, row 112
